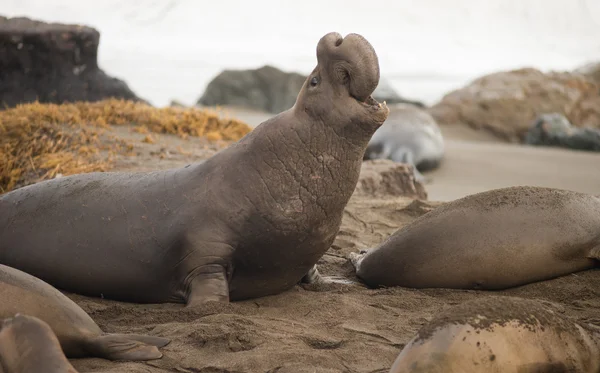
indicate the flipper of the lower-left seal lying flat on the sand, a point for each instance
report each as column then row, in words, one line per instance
column 120, row 347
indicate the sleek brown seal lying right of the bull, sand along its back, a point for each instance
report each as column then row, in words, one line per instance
column 492, row 240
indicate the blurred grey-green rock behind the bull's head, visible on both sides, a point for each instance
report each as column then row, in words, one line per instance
column 272, row 90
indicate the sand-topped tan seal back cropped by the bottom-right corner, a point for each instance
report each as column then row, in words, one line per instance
column 501, row 335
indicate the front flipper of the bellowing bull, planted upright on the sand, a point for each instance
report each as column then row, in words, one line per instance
column 209, row 284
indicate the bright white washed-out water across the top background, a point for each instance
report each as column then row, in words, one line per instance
column 170, row 49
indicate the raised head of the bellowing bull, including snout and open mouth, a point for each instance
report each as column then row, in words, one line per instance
column 338, row 91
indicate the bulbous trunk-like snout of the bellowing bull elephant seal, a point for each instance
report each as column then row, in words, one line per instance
column 351, row 60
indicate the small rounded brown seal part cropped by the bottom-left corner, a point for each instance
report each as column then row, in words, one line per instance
column 28, row 345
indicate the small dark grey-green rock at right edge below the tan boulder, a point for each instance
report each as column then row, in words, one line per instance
column 554, row 129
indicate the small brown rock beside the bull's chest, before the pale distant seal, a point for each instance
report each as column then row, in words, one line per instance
column 386, row 178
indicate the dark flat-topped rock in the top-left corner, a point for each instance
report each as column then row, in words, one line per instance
column 52, row 63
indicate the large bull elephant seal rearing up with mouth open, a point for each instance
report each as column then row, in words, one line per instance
column 251, row 221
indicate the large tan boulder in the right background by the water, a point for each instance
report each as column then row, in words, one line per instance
column 506, row 103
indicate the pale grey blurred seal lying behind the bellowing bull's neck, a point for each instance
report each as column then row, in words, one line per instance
column 409, row 135
